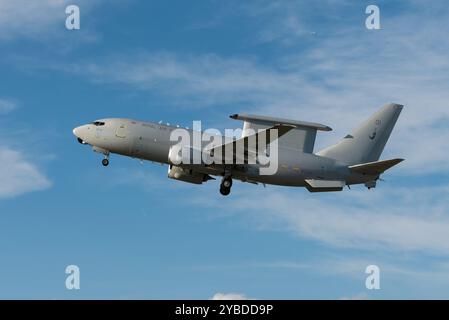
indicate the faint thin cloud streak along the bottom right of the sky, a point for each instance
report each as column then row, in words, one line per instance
column 404, row 271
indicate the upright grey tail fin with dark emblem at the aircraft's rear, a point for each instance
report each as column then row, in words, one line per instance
column 367, row 142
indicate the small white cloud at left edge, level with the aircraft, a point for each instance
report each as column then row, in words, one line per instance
column 18, row 175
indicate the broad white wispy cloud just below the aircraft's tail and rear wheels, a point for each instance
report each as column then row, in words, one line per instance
column 388, row 218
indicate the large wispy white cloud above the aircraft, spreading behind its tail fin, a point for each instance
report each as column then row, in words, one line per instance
column 338, row 80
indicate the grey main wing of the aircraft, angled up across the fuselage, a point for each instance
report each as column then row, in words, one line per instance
column 245, row 147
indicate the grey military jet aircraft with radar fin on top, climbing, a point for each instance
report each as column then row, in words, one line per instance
column 353, row 160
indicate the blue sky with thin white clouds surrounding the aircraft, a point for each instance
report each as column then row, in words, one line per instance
column 136, row 234
